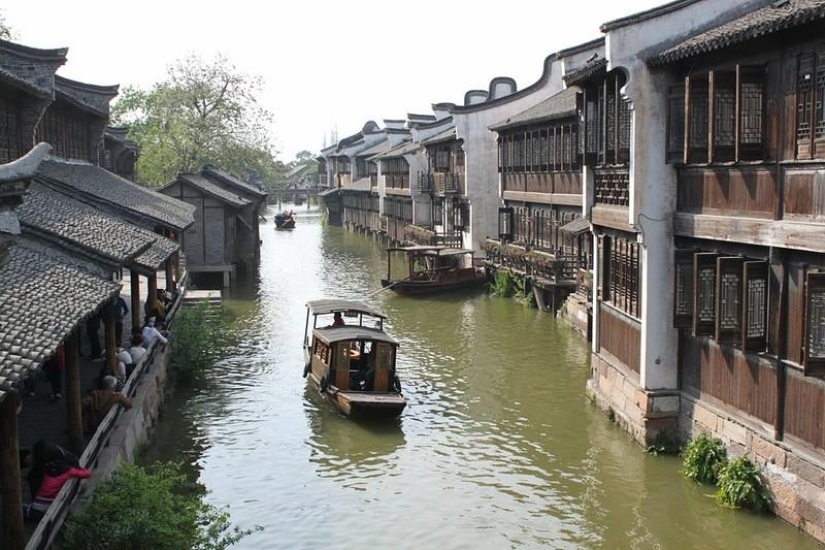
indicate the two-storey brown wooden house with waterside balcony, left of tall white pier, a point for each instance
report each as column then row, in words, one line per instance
column 542, row 235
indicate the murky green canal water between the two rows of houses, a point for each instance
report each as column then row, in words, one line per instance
column 497, row 448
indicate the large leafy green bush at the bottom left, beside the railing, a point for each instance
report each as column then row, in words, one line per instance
column 159, row 509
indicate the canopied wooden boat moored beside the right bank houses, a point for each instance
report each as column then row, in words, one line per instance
column 428, row 269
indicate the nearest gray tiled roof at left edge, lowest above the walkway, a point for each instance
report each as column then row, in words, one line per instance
column 42, row 299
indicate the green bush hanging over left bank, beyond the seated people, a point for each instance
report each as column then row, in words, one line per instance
column 201, row 335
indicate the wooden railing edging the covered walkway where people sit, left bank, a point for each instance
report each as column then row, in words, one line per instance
column 51, row 523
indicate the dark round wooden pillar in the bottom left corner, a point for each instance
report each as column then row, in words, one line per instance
column 13, row 536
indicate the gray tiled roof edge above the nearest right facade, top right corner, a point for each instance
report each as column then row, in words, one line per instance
column 772, row 18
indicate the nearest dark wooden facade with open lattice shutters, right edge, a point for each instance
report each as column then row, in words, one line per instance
column 746, row 133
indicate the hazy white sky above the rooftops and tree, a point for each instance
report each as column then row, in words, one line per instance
column 325, row 63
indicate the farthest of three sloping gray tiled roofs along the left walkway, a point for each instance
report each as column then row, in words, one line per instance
column 111, row 189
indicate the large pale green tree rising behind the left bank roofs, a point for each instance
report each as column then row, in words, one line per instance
column 204, row 112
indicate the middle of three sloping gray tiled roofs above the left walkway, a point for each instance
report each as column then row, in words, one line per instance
column 49, row 213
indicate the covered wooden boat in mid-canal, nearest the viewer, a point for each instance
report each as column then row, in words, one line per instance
column 351, row 359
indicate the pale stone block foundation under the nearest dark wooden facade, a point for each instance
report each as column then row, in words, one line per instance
column 795, row 476
